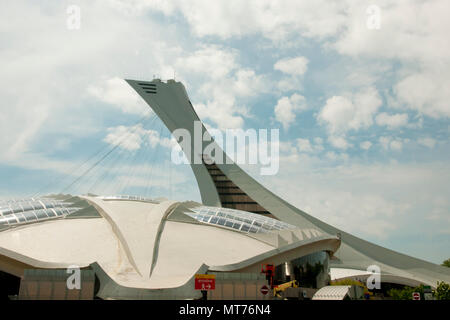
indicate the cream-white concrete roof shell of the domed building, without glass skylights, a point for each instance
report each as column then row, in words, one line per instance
column 138, row 244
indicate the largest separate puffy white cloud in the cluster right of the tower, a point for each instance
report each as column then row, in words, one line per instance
column 353, row 112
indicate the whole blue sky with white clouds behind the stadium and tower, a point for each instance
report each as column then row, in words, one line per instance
column 359, row 90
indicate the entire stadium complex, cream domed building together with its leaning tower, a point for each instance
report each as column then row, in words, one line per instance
column 138, row 248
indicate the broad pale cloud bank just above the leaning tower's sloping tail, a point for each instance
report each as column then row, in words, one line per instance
column 356, row 198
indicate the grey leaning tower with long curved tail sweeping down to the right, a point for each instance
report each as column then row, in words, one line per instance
column 227, row 185
